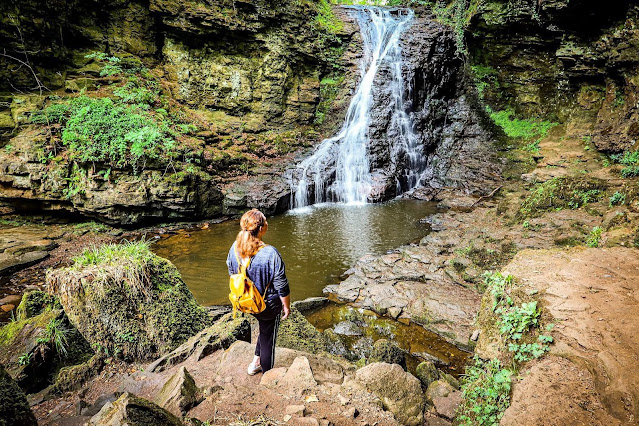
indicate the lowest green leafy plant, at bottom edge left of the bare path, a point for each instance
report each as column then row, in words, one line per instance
column 485, row 393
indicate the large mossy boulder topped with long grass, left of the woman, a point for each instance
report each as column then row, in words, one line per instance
column 127, row 301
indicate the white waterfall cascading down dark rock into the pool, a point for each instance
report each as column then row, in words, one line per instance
column 351, row 181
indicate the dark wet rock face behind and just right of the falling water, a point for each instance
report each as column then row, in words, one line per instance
column 444, row 122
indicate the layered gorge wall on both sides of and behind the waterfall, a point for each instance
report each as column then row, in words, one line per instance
column 262, row 81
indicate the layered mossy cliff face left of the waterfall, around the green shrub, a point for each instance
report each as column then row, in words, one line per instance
column 249, row 71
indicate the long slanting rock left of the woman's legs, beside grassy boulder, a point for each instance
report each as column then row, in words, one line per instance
column 219, row 336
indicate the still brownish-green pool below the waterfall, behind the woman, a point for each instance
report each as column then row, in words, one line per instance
column 318, row 244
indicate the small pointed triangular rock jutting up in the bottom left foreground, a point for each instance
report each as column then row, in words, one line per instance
column 179, row 394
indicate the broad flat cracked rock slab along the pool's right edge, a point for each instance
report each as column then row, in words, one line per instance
column 417, row 285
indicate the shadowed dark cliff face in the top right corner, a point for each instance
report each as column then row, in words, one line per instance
column 575, row 61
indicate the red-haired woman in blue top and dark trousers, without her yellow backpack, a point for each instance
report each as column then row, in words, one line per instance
column 266, row 270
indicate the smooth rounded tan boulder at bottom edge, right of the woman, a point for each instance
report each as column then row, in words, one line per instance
column 399, row 391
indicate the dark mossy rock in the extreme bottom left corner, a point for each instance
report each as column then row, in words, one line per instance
column 15, row 408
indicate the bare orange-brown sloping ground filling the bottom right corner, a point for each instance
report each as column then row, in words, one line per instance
column 591, row 376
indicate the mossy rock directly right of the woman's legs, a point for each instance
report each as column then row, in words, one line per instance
column 297, row 333
